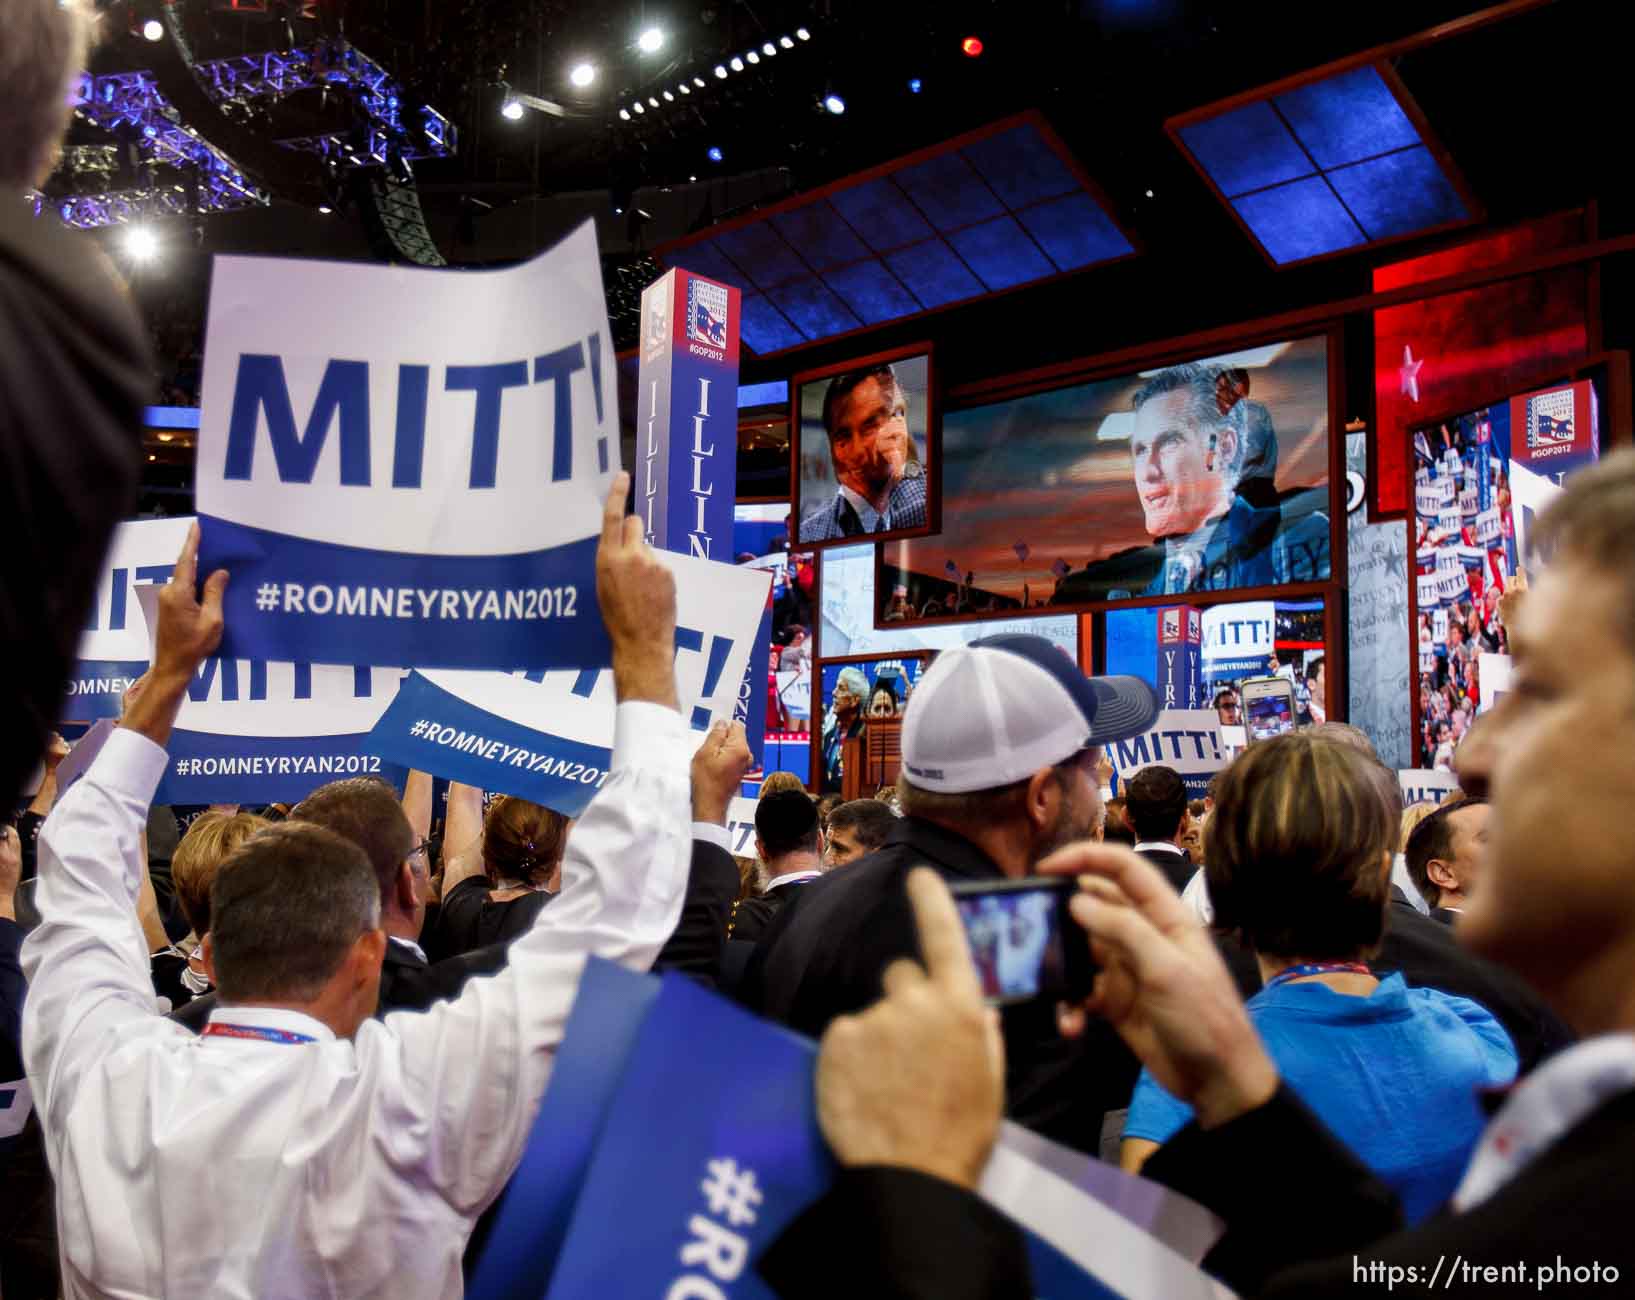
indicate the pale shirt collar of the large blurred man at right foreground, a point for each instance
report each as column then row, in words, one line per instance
column 1544, row 1108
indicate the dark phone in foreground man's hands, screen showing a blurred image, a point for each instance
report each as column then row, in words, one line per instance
column 1023, row 939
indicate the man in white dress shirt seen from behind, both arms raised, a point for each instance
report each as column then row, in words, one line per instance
column 302, row 1149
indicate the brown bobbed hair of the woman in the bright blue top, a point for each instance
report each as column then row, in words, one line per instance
column 1297, row 846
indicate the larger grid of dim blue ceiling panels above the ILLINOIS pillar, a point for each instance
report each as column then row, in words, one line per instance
column 974, row 220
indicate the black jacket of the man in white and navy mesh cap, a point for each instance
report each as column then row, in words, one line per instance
column 825, row 954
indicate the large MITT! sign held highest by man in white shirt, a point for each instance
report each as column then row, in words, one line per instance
column 406, row 467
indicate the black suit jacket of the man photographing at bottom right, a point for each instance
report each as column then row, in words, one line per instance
column 1306, row 1221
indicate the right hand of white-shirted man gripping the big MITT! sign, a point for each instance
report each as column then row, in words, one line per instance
column 638, row 606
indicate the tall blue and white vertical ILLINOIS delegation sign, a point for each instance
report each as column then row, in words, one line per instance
column 686, row 472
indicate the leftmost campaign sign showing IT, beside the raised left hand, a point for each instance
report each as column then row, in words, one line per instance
column 114, row 647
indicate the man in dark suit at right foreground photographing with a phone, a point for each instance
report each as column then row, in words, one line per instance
column 1546, row 1196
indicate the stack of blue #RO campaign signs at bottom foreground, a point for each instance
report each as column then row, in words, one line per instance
column 745, row 1155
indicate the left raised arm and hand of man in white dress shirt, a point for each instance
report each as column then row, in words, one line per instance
column 87, row 962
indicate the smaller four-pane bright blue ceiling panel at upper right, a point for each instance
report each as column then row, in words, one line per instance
column 1327, row 168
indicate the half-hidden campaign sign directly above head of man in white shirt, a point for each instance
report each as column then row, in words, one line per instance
column 253, row 732
